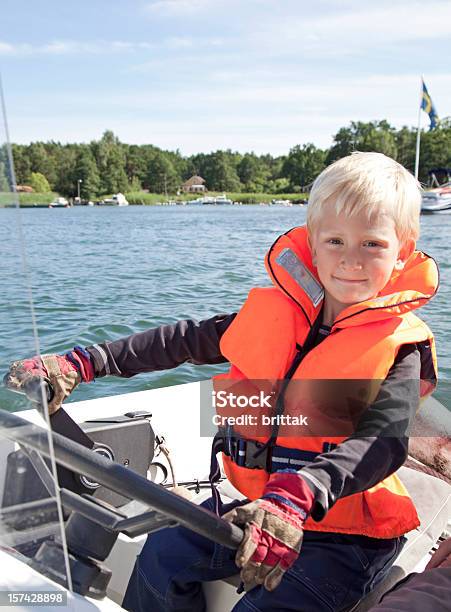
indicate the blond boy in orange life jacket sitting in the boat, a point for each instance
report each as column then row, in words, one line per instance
column 327, row 514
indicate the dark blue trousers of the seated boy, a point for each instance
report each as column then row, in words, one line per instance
column 332, row 572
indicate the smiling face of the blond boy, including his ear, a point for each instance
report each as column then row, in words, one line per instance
column 355, row 257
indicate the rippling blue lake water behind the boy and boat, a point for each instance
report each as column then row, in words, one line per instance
column 101, row 273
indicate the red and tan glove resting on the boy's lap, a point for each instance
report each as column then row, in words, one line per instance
column 273, row 529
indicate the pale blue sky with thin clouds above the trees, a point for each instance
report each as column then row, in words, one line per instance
column 201, row 75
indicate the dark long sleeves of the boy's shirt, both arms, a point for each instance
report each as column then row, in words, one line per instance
column 377, row 448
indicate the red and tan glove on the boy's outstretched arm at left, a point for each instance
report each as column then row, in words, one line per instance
column 62, row 372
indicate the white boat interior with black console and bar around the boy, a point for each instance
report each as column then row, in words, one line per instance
column 116, row 460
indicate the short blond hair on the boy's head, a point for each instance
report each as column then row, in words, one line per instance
column 370, row 183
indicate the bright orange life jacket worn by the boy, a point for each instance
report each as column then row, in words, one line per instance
column 363, row 344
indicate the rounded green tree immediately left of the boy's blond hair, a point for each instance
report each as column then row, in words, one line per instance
column 302, row 166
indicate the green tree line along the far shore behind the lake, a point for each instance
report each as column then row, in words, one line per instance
column 108, row 166
